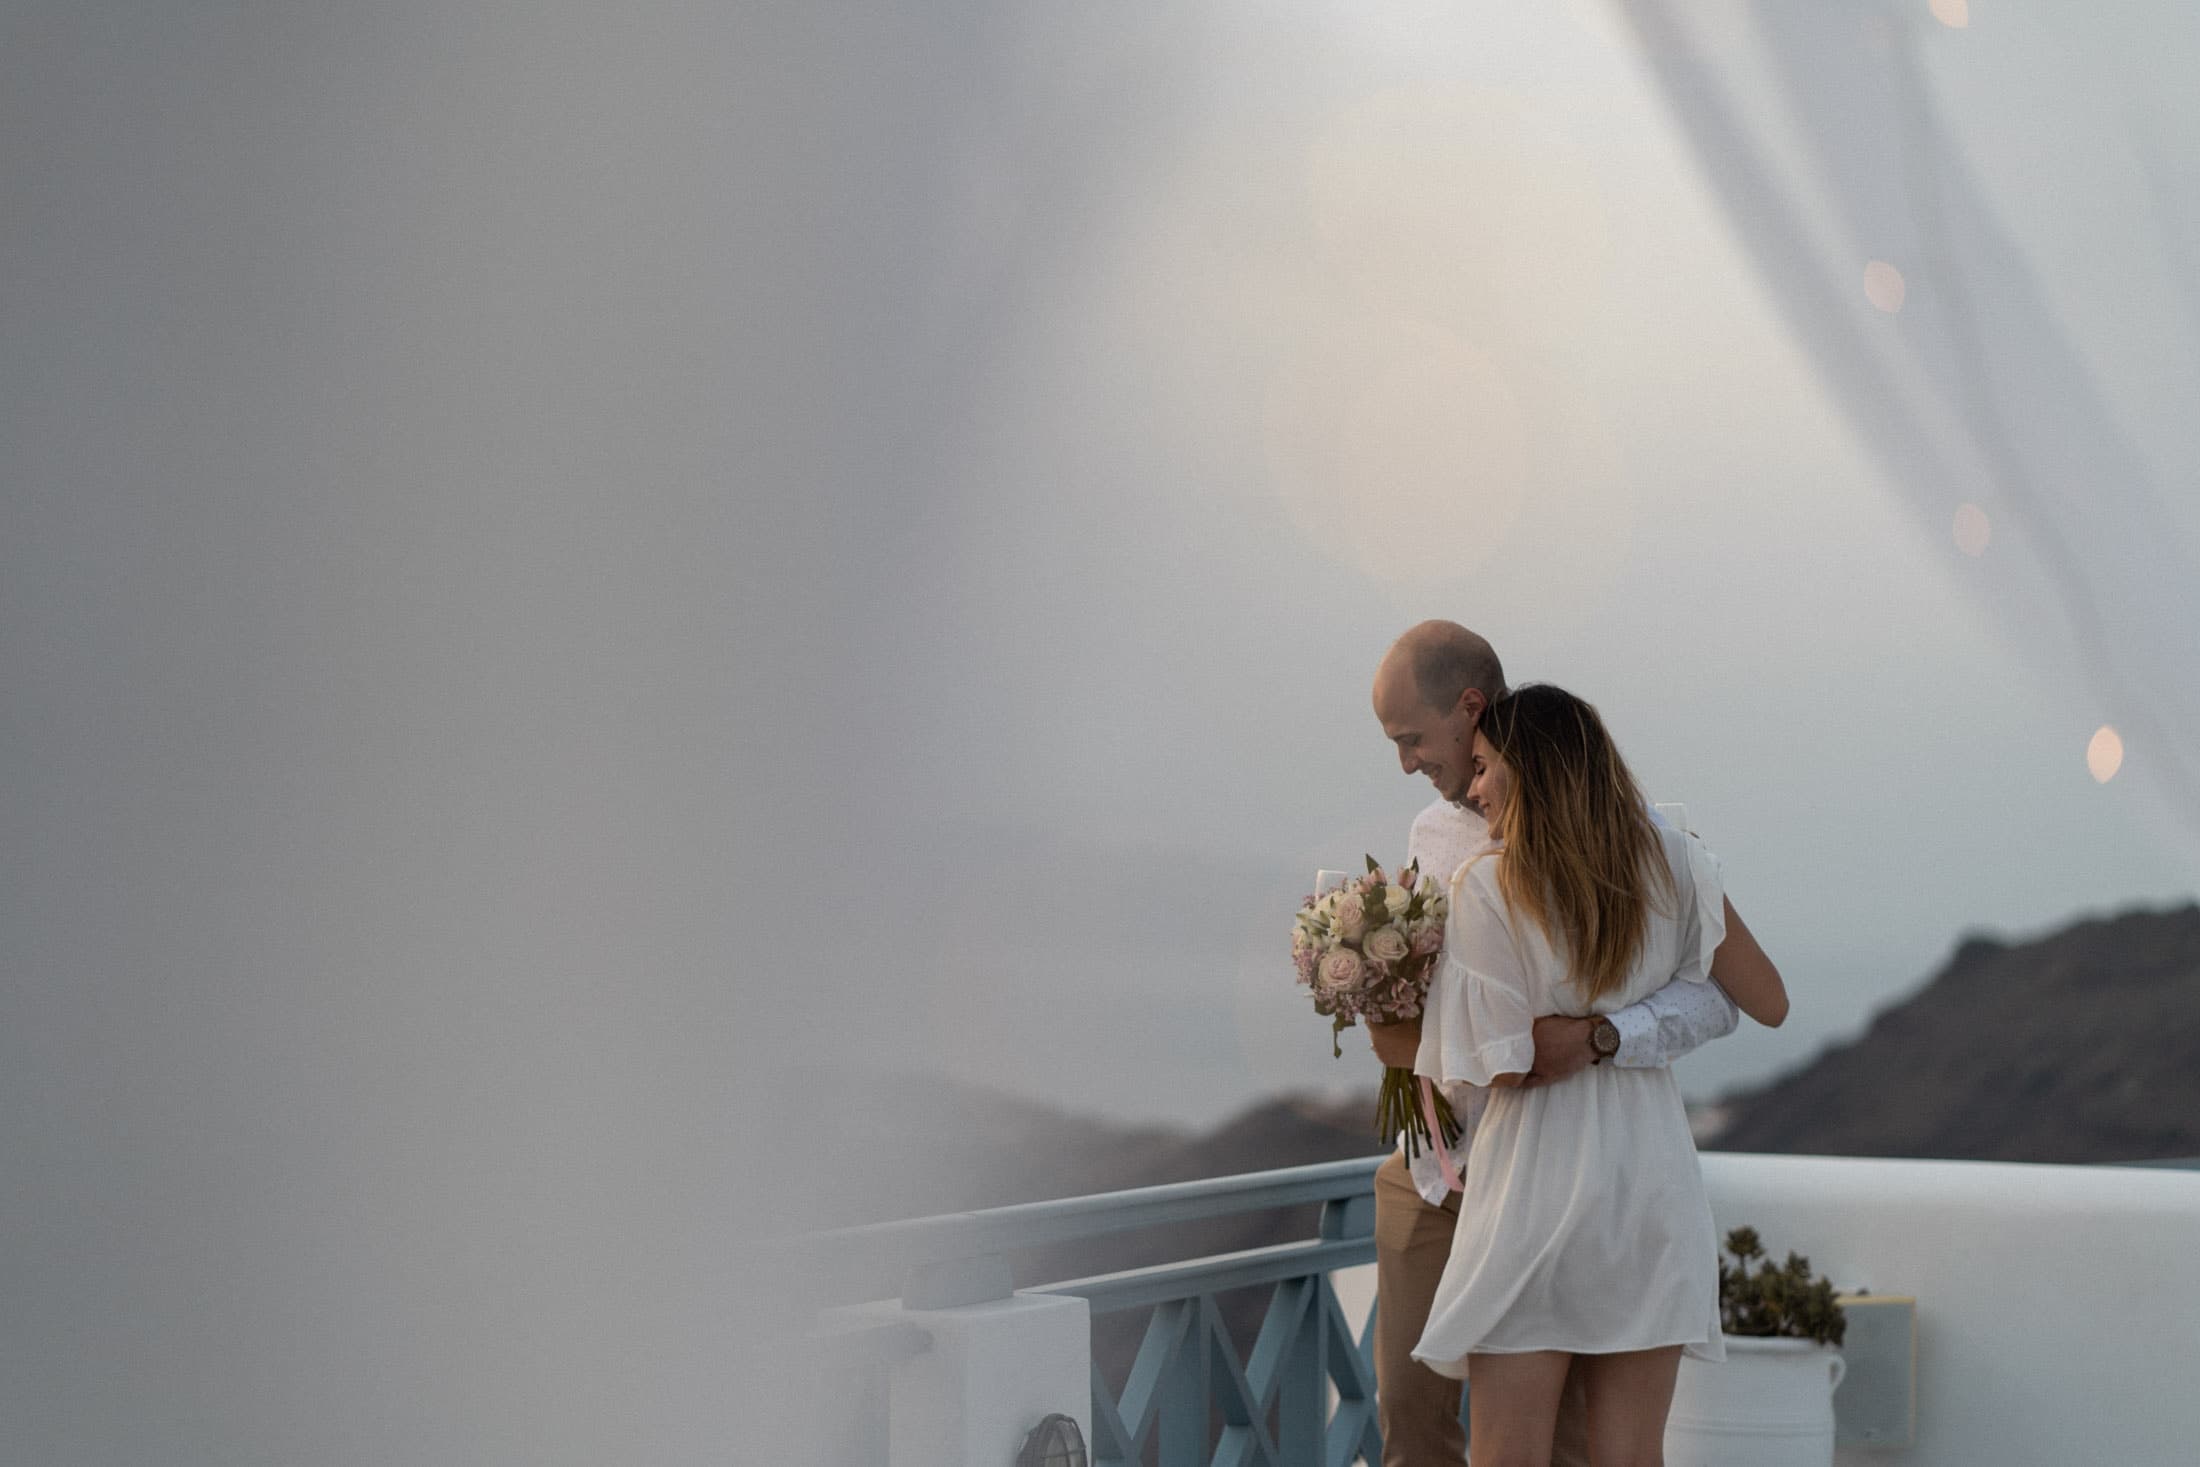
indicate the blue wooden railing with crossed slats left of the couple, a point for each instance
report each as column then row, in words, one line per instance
column 1189, row 1396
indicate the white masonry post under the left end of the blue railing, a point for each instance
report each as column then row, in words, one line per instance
column 989, row 1376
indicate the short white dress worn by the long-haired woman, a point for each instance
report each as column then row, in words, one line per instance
column 1585, row 1226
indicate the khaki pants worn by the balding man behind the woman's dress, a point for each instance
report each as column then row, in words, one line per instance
column 1420, row 1409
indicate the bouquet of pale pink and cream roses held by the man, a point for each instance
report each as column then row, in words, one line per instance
column 1367, row 949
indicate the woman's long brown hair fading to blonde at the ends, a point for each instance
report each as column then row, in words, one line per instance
column 1581, row 850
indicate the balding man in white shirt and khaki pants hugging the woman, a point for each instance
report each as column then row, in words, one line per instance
column 1431, row 694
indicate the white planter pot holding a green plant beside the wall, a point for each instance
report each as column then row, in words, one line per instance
column 1768, row 1407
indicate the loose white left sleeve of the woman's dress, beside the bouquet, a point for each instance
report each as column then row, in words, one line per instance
column 1479, row 1019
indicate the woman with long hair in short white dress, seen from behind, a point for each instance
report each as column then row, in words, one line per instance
column 1585, row 1228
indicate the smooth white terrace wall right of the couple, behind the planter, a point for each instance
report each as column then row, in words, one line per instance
column 2058, row 1305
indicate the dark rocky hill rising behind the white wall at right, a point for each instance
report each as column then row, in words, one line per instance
column 2082, row 1046
